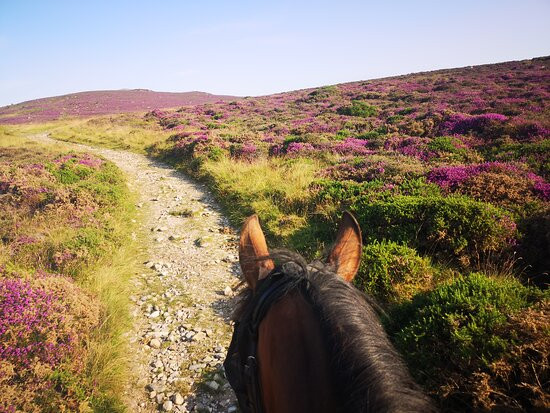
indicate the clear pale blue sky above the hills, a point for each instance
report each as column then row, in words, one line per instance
column 252, row 47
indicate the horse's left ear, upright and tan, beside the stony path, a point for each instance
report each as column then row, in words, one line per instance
column 252, row 248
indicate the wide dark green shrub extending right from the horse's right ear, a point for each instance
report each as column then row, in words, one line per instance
column 454, row 226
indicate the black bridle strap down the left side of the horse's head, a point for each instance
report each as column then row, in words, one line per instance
column 241, row 363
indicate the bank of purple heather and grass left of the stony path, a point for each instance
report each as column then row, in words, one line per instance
column 62, row 223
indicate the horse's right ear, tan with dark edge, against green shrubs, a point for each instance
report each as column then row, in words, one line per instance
column 346, row 252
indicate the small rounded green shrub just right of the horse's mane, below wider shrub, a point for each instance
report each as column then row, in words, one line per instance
column 392, row 272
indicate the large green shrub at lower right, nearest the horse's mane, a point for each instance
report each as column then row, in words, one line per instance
column 455, row 327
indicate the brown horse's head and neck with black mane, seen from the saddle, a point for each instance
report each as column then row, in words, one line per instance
column 306, row 340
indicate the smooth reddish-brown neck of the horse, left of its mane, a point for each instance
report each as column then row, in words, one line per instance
column 293, row 360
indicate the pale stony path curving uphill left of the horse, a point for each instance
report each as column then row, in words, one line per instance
column 184, row 295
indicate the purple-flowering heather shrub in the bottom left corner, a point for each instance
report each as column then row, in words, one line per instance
column 44, row 325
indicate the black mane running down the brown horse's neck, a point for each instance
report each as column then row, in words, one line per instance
column 368, row 373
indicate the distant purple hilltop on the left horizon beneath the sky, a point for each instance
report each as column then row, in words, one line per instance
column 102, row 102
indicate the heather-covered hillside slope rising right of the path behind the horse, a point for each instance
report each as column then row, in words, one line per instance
column 447, row 173
